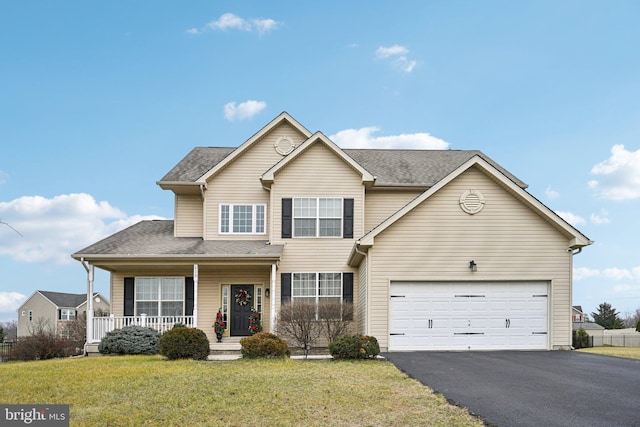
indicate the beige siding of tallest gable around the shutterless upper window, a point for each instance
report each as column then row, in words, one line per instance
column 239, row 183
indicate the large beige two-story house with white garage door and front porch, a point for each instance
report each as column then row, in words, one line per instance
column 436, row 249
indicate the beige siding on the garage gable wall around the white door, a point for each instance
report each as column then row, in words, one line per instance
column 436, row 241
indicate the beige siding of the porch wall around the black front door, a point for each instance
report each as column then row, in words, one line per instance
column 210, row 281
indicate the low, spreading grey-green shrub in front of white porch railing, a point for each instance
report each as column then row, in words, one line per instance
column 130, row 340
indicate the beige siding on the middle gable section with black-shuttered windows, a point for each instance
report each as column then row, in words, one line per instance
column 318, row 172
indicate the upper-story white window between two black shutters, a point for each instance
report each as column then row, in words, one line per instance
column 317, row 217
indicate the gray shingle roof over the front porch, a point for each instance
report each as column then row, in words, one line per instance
column 156, row 238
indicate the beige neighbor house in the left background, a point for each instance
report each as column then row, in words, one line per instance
column 53, row 309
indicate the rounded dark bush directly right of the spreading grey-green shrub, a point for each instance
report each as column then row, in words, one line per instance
column 184, row 343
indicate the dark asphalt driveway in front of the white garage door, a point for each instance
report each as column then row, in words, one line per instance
column 532, row 388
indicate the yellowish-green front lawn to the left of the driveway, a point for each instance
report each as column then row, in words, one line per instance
column 148, row 390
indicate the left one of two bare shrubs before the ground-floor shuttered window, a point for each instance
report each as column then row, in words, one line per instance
column 297, row 320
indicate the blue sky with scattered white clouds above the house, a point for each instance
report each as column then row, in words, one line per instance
column 98, row 100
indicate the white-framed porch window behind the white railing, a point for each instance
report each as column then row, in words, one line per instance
column 160, row 296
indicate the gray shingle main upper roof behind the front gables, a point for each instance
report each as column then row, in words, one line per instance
column 390, row 167
